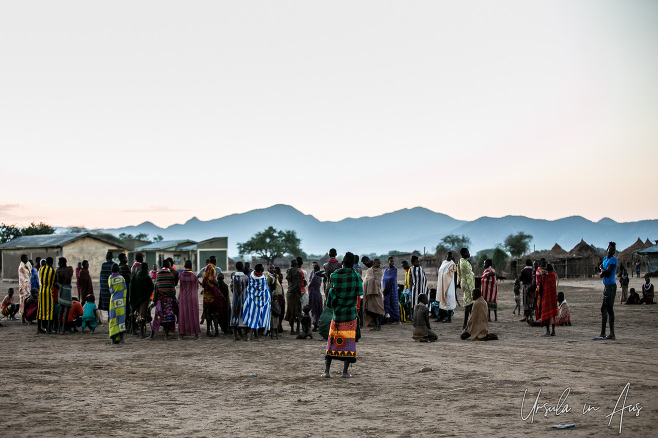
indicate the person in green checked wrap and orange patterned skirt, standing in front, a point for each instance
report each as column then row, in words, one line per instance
column 342, row 299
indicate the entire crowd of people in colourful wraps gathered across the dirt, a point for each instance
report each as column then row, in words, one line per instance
column 336, row 300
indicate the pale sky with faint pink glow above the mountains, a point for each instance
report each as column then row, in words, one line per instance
column 115, row 113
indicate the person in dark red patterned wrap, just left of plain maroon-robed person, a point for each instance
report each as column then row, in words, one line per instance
column 164, row 298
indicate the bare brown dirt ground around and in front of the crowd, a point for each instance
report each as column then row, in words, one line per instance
column 82, row 386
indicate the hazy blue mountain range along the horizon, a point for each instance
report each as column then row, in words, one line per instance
column 402, row 230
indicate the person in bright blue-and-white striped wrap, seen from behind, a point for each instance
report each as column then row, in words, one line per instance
column 257, row 301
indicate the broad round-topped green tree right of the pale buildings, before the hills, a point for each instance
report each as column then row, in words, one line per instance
column 271, row 244
